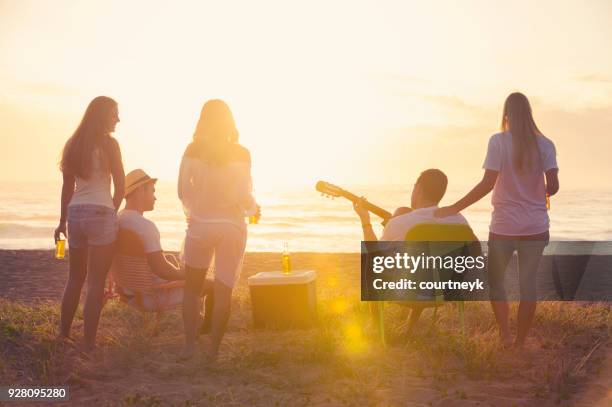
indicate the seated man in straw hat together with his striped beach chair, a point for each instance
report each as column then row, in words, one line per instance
column 140, row 198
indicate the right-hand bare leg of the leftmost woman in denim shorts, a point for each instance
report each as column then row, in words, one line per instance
column 100, row 260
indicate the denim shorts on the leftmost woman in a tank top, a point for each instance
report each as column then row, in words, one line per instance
column 91, row 225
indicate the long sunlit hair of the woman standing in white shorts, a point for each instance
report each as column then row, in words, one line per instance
column 215, row 133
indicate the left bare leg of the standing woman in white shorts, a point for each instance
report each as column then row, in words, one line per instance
column 191, row 307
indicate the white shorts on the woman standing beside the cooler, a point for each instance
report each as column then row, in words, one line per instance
column 223, row 241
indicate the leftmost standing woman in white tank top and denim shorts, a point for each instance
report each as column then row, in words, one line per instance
column 90, row 159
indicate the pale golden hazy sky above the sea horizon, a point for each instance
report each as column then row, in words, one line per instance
column 346, row 91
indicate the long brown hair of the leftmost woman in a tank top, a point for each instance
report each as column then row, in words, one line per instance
column 92, row 133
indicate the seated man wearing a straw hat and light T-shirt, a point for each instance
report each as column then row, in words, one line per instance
column 140, row 198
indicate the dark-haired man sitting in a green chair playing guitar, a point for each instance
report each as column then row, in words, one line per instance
column 427, row 193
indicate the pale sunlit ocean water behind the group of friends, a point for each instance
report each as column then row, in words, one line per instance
column 301, row 216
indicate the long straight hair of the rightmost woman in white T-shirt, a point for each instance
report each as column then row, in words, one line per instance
column 518, row 120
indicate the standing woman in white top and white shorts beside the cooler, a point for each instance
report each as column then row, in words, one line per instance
column 216, row 191
